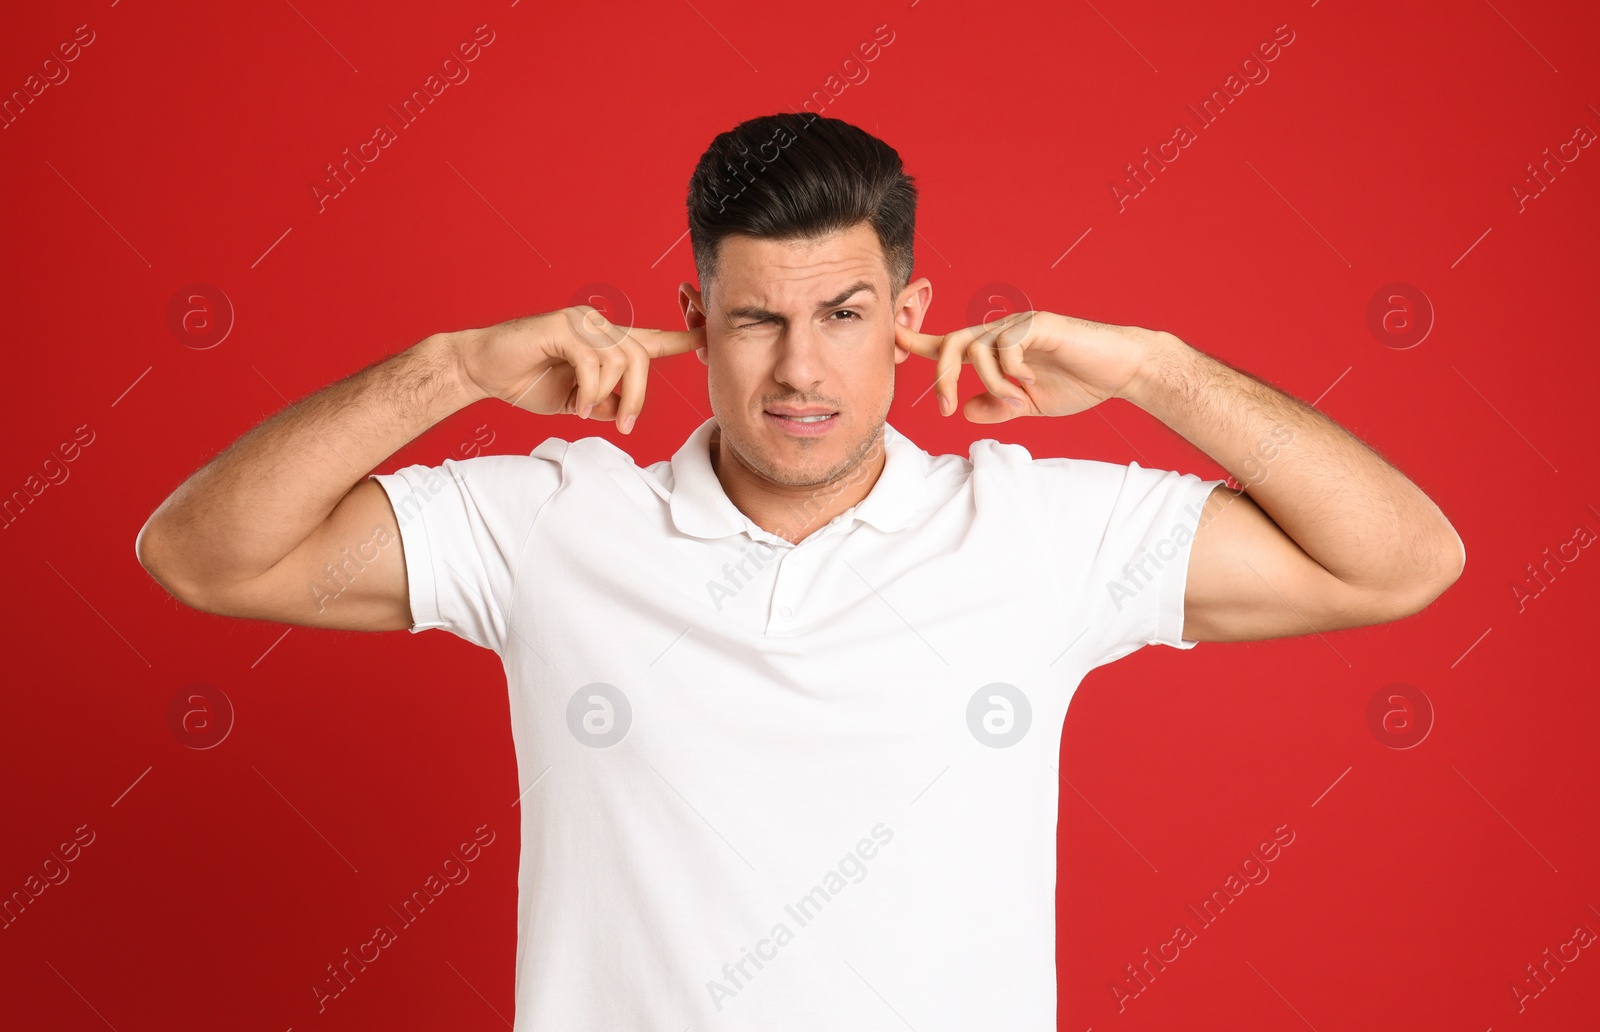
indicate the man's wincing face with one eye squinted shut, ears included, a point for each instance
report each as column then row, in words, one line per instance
column 802, row 327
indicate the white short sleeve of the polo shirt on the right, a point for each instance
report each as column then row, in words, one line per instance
column 1129, row 534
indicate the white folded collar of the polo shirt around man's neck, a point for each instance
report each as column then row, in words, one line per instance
column 703, row 510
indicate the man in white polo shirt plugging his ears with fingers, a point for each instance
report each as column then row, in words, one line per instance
column 788, row 706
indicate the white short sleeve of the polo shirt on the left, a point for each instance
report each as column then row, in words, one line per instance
column 463, row 529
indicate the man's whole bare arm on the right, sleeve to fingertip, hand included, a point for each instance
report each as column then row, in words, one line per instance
column 1327, row 534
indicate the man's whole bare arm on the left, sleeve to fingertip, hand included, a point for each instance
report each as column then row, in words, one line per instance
column 263, row 529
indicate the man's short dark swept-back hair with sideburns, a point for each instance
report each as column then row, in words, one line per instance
column 791, row 177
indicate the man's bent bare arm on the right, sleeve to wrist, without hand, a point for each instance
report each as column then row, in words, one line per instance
column 1326, row 535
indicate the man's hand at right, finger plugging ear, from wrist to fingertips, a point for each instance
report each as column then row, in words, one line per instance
column 1066, row 366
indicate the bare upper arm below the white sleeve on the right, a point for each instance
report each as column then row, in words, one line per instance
column 1249, row 580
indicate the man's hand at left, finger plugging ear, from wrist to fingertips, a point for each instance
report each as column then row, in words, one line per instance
column 569, row 362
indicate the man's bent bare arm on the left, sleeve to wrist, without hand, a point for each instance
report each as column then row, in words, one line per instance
column 252, row 532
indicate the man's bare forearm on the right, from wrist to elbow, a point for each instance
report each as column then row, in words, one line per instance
column 1342, row 503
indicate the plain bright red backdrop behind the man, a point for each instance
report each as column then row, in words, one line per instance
column 1382, row 150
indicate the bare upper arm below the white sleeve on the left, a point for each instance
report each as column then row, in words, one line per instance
column 348, row 575
